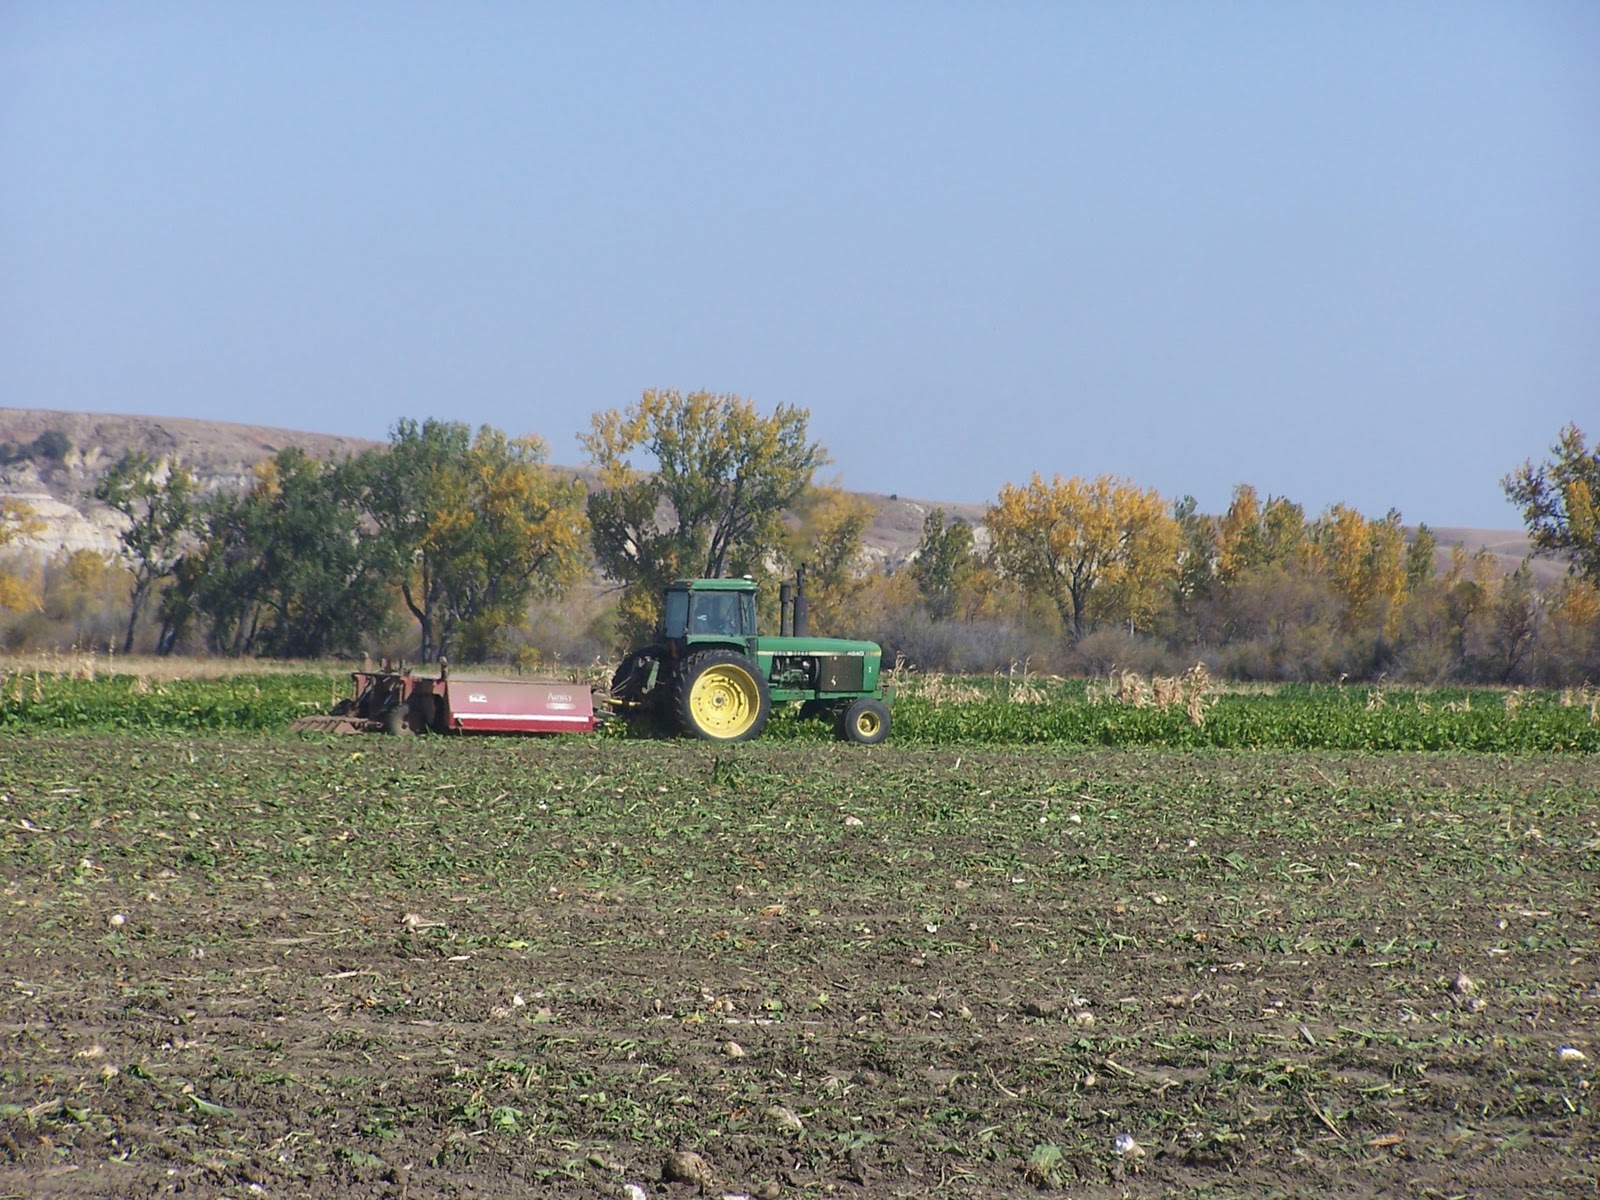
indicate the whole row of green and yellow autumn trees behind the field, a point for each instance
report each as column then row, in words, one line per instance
column 454, row 534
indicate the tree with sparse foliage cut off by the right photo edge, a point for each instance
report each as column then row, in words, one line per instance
column 1561, row 503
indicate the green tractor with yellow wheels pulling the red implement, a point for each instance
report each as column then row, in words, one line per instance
column 713, row 678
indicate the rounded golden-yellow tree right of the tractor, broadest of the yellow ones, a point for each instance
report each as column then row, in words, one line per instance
column 1100, row 550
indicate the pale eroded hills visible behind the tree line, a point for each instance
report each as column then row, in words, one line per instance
column 222, row 455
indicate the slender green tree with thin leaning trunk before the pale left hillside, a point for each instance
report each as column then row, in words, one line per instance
column 161, row 506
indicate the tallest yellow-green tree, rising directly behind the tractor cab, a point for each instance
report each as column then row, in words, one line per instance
column 722, row 479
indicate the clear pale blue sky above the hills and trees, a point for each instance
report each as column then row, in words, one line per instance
column 1345, row 252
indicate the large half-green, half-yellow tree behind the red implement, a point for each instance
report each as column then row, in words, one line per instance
column 479, row 524
